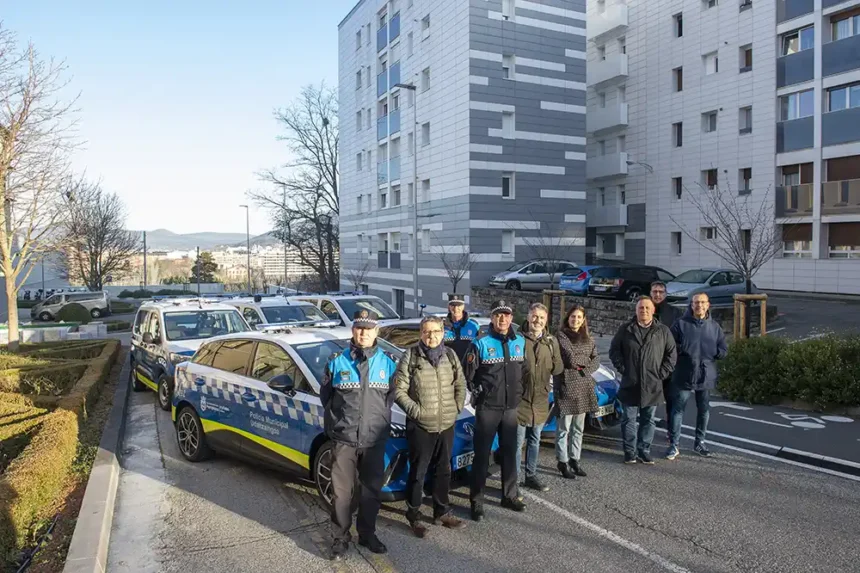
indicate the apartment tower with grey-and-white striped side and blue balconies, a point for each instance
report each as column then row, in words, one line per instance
column 495, row 127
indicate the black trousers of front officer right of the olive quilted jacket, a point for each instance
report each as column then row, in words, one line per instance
column 487, row 424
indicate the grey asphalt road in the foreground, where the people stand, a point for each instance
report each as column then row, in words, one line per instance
column 732, row 512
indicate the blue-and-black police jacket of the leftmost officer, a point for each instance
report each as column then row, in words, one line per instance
column 357, row 393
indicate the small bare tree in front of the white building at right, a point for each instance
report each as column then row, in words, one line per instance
column 744, row 234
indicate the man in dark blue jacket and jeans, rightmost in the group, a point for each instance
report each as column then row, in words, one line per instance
column 700, row 342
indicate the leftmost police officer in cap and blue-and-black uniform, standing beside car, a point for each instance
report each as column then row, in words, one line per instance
column 357, row 393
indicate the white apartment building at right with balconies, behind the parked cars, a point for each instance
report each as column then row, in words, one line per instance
column 762, row 96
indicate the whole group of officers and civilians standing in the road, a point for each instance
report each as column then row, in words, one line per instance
column 509, row 375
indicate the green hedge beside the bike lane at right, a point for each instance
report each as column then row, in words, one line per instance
column 824, row 372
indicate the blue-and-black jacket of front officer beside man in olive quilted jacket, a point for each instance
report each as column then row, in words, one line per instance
column 494, row 367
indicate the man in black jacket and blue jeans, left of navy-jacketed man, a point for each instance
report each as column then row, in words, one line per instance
column 643, row 352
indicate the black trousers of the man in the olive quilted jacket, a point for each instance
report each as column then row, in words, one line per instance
column 428, row 450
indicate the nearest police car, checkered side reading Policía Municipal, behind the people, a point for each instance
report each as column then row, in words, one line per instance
column 255, row 395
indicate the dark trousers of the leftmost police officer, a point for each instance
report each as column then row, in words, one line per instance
column 369, row 463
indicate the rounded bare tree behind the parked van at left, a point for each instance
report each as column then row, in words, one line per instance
column 95, row 246
